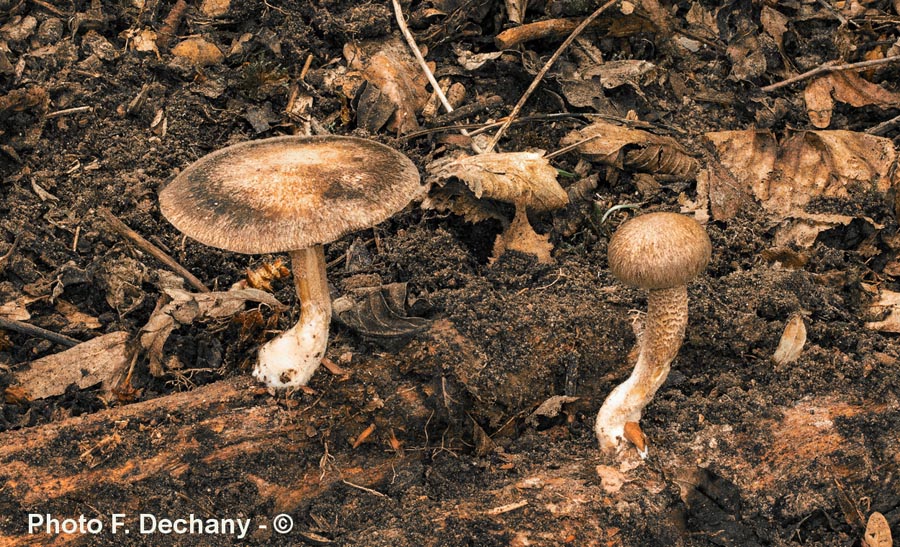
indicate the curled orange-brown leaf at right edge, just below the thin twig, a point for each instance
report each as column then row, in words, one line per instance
column 846, row 87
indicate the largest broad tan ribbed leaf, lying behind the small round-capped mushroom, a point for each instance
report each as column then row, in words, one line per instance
column 808, row 164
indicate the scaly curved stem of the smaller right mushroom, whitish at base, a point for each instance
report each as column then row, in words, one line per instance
column 659, row 344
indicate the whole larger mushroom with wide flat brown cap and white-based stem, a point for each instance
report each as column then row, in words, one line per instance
column 291, row 194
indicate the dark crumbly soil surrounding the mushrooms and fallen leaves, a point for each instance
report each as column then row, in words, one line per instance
column 742, row 451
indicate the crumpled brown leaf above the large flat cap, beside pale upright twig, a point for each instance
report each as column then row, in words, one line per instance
column 390, row 67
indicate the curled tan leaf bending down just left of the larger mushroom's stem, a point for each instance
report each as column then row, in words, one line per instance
column 179, row 307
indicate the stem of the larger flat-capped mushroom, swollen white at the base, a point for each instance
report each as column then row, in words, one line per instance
column 290, row 359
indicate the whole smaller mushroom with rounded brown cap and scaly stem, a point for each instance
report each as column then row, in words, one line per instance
column 660, row 252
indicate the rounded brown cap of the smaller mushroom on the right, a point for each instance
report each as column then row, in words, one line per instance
column 659, row 251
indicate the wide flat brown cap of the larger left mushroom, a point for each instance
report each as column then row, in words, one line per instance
column 288, row 193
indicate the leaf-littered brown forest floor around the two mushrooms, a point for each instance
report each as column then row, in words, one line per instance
column 429, row 435
